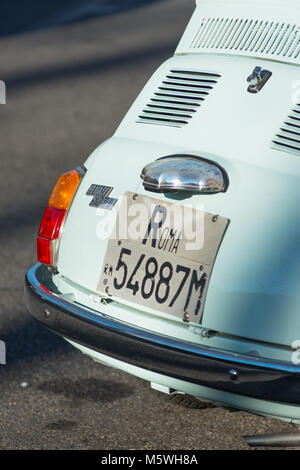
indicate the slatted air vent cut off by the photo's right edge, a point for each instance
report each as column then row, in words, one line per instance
column 288, row 137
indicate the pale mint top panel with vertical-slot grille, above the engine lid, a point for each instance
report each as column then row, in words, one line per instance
column 268, row 29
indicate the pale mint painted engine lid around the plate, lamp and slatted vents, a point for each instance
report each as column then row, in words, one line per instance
column 254, row 289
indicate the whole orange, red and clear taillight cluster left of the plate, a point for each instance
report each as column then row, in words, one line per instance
column 54, row 215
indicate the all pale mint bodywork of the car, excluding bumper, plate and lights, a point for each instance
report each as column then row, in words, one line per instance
column 252, row 307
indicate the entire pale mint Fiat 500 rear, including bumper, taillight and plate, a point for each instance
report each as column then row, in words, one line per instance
column 173, row 252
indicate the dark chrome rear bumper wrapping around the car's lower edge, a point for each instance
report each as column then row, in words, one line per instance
column 217, row 369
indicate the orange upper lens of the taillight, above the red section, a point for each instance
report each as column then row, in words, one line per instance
column 65, row 189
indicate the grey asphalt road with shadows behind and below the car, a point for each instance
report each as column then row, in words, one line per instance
column 67, row 90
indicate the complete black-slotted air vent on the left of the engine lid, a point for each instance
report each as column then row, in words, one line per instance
column 178, row 98
